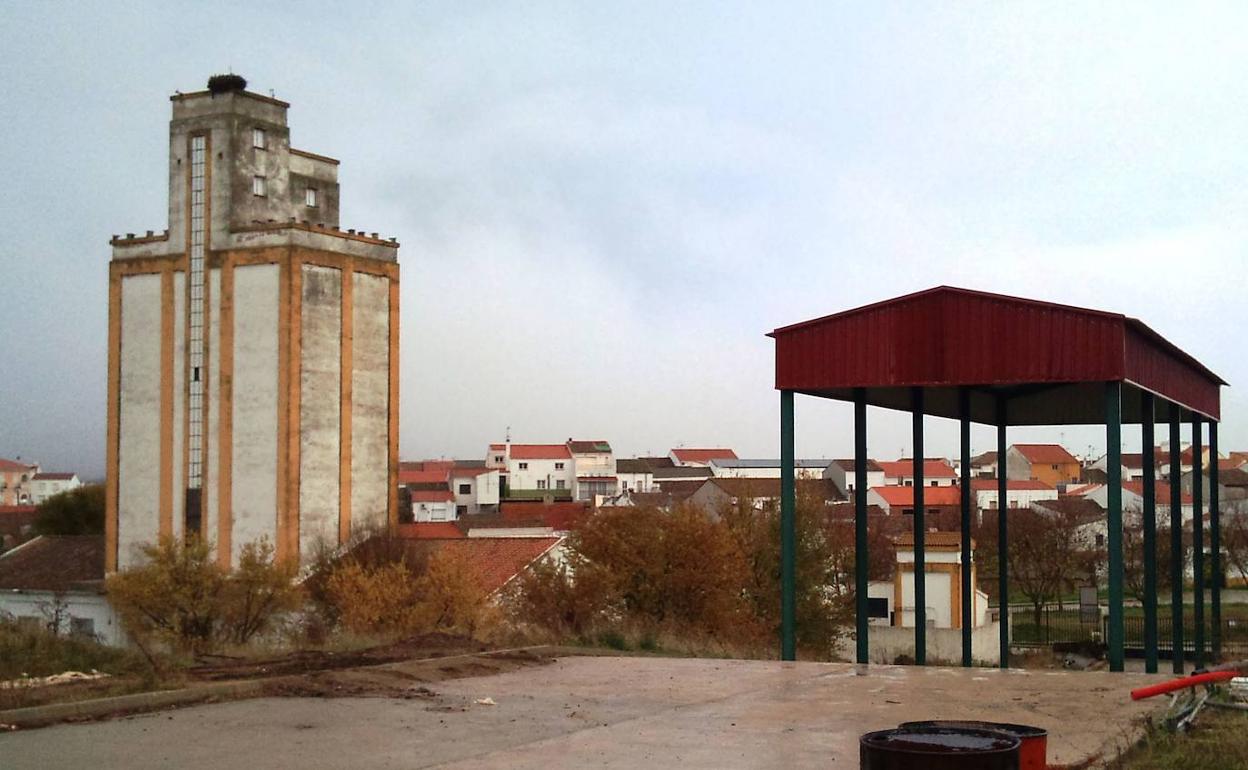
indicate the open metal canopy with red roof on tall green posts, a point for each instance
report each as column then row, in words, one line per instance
column 1002, row 361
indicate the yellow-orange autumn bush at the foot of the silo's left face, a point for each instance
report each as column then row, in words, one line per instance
column 184, row 600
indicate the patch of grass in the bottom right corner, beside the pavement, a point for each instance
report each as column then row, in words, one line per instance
column 1219, row 739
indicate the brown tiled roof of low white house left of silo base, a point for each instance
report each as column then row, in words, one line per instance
column 53, row 563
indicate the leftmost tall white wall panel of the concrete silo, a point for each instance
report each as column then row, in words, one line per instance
column 139, row 416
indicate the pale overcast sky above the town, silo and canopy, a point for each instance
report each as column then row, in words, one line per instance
column 605, row 210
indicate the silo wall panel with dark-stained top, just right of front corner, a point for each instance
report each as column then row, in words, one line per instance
column 320, row 407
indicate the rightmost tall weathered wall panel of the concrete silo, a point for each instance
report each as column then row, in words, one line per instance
column 370, row 402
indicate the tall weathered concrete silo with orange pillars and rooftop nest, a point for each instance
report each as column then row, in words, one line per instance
column 253, row 348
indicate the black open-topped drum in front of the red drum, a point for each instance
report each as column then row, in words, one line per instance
column 939, row 749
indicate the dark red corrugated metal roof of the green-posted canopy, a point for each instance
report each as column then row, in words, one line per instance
column 1050, row 360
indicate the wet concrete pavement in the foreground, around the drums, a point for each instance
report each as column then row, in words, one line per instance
column 605, row 712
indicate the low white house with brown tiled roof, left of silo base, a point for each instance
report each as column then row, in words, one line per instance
column 58, row 583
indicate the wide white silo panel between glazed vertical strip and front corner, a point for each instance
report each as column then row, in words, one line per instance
column 255, row 406
